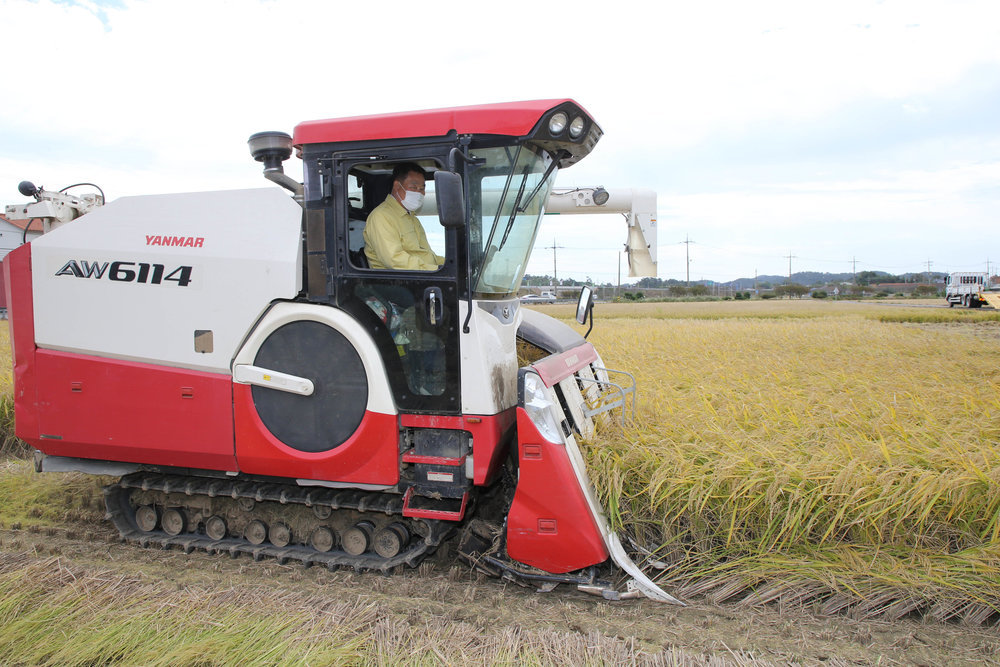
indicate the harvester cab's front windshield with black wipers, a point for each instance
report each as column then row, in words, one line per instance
column 509, row 190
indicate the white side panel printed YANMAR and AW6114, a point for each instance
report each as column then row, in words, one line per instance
column 244, row 250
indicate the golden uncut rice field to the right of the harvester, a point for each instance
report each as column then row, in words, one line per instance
column 813, row 452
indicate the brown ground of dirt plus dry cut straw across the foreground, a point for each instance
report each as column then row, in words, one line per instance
column 460, row 616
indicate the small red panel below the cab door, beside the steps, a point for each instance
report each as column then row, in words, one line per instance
column 489, row 438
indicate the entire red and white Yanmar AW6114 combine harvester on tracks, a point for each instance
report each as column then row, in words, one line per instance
column 259, row 388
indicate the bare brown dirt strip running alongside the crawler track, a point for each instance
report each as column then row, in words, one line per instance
column 445, row 590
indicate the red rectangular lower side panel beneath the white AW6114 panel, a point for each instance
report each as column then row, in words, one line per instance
column 97, row 408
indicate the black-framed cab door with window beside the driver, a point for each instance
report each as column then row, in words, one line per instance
column 412, row 315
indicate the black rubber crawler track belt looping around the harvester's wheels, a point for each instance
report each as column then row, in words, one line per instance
column 122, row 514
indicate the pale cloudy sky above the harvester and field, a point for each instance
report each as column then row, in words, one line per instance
column 825, row 136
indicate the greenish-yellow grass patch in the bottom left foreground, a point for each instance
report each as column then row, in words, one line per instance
column 49, row 616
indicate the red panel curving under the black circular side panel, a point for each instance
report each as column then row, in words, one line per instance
column 370, row 456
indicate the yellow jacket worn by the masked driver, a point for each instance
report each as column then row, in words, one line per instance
column 395, row 239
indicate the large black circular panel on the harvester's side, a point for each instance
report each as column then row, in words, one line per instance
column 331, row 415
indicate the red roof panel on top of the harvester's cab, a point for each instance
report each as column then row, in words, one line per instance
column 512, row 119
